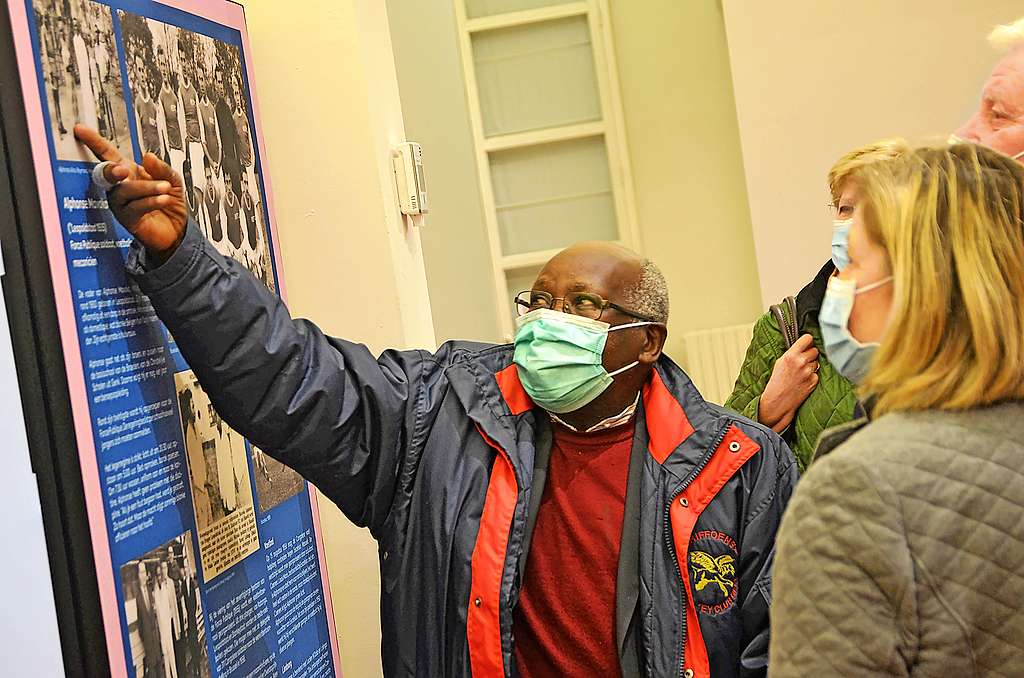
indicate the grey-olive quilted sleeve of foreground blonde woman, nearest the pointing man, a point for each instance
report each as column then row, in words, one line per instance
column 844, row 595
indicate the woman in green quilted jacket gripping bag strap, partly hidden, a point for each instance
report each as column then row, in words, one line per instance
column 800, row 392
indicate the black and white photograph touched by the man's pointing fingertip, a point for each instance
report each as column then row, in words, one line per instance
column 81, row 74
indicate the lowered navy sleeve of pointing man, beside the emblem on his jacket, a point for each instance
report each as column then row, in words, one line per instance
column 772, row 485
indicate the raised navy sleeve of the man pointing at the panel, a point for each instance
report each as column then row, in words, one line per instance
column 325, row 407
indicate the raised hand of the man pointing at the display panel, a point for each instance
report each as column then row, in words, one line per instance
column 149, row 199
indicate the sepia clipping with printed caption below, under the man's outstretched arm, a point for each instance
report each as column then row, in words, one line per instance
column 219, row 470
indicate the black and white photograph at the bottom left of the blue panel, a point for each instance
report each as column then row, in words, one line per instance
column 165, row 613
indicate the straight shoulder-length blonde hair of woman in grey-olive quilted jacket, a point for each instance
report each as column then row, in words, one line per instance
column 951, row 221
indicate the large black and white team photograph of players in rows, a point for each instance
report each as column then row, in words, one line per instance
column 192, row 110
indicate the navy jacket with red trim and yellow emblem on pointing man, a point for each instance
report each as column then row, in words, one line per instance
column 440, row 455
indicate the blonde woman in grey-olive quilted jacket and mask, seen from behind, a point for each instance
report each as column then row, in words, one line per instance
column 903, row 552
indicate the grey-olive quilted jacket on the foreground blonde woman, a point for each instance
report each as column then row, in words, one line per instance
column 904, row 552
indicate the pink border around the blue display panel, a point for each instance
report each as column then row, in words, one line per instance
column 233, row 16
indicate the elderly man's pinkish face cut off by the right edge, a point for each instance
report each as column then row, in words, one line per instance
column 999, row 123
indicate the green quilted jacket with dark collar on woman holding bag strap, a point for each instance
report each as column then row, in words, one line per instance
column 833, row 402
